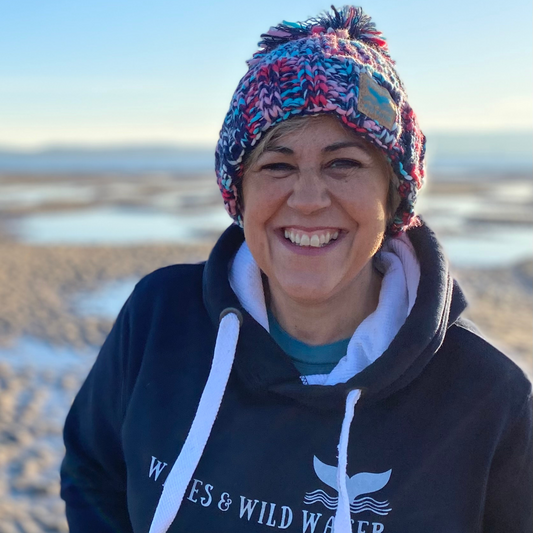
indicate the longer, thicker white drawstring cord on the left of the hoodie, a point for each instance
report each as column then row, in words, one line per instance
column 189, row 457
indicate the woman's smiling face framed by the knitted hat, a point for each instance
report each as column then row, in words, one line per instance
column 315, row 209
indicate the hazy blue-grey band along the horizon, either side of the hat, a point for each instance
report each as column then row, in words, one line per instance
column 448, row 154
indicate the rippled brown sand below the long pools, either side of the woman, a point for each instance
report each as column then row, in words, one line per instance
column 38, row 290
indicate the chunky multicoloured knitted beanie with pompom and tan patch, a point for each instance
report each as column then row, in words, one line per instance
column 337, row 64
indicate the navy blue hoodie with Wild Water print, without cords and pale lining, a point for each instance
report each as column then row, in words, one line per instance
column 445, row 419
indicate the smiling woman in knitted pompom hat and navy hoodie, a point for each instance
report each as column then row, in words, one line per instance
column 314, row 374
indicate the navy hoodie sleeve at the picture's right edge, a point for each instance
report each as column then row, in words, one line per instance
column 509, row 504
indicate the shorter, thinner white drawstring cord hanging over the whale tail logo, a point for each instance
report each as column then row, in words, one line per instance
column 343, row 519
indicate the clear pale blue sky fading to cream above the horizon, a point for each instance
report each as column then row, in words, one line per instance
column 106, row 72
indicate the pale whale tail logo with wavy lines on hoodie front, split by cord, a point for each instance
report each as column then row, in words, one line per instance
column 359, row 485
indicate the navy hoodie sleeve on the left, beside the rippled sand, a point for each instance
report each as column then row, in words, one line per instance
column 93, row 473
